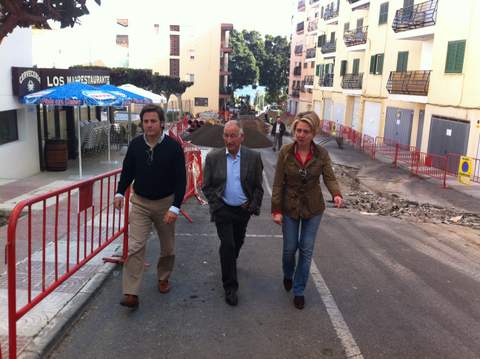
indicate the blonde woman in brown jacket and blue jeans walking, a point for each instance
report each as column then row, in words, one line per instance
column 297, row 200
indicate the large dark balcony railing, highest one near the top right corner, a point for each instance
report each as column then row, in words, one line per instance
column 416, row 16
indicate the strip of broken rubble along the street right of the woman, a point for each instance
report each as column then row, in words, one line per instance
column 369, row 203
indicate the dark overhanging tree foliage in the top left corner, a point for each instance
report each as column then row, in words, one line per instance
column 26, row 13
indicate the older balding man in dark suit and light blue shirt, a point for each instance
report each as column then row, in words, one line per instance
column 232, row 184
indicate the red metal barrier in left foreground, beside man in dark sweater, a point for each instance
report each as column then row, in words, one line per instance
column 72, row 225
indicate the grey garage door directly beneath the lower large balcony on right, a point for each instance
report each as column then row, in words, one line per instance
column 398, row 125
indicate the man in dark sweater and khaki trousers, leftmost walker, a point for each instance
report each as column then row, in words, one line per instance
column 155, row 164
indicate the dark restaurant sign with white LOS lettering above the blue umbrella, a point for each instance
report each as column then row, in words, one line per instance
column 26, row 80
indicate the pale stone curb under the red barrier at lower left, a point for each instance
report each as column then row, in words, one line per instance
column 41, row 344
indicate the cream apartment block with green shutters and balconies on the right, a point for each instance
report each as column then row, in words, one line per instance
column 400, row 69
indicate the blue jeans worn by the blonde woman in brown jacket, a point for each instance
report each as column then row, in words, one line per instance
column 298, row 235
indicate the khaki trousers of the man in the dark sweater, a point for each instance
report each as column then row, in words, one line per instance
column 143, row 213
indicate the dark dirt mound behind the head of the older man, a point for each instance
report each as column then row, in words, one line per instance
column 212, row 136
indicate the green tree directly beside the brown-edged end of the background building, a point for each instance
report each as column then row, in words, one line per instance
column 242, row 63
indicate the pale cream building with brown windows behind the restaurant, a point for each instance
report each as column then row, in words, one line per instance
column 197, row 52
